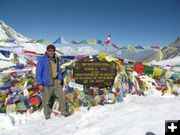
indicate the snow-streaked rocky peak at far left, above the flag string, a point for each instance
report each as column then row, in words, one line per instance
column 7, row 32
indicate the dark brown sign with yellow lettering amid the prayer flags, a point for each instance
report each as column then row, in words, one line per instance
column 94, row 73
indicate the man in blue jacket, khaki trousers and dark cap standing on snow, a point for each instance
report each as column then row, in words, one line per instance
column 49, row 78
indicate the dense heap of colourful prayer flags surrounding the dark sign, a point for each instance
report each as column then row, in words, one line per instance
column 20, row 93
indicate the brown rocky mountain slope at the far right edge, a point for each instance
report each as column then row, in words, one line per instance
column 171, row 50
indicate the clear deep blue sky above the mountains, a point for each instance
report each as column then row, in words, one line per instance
column 136, row 22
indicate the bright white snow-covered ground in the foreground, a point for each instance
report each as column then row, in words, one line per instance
column 135, row 115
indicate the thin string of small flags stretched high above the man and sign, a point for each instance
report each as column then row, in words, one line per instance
column 107, row 42
